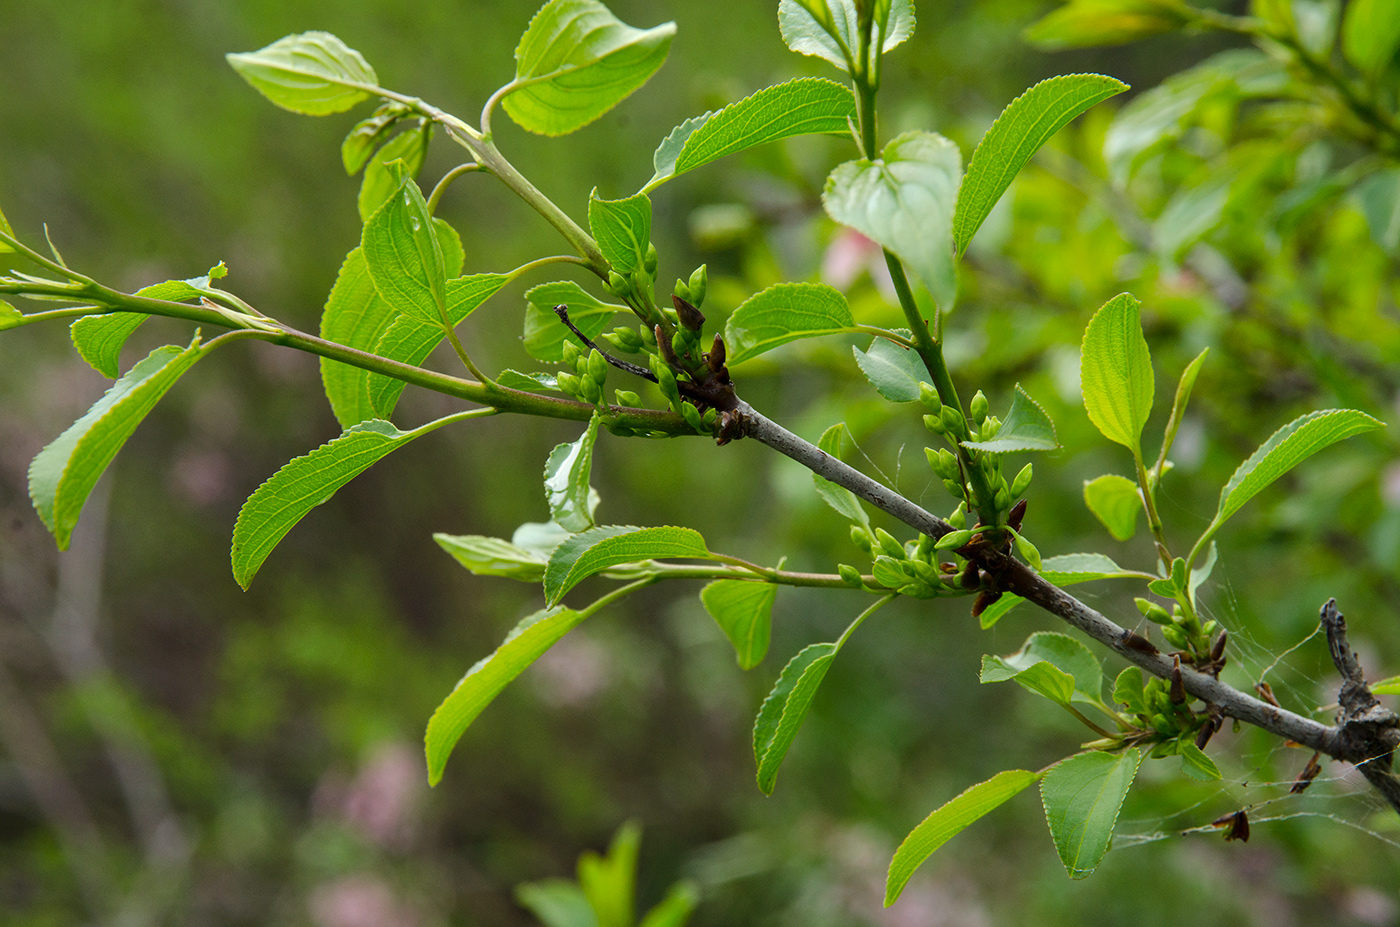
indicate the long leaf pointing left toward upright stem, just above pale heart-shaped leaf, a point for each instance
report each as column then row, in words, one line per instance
column 807, row 106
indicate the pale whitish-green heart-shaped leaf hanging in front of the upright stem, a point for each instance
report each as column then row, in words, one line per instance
column 905, row 202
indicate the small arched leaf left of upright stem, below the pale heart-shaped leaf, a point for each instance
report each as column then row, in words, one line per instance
column 785, row 313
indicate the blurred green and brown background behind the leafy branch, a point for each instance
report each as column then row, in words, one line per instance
column 174, row 751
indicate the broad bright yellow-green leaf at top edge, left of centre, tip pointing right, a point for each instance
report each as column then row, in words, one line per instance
column 576, row 62
